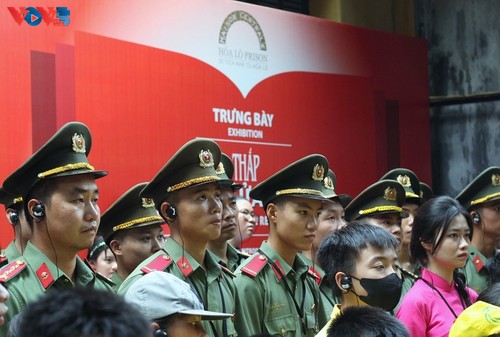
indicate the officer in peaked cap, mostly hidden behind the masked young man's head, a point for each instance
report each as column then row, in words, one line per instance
column 382, row 204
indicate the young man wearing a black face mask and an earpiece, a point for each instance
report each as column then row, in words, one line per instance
column 360, row 260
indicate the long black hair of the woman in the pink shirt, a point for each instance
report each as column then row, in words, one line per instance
column 430, row 225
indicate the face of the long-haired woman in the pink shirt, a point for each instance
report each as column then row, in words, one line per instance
column 453, row 250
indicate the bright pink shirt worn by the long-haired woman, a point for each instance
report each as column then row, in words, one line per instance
column 424, row 312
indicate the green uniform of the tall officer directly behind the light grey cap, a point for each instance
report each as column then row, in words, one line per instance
column 214, row 285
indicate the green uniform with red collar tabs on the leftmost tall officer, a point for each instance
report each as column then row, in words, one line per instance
column 33, row 275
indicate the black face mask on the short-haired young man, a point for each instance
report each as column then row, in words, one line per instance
column 383, row 292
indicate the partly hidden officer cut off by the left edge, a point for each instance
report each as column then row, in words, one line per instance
column 22, row 232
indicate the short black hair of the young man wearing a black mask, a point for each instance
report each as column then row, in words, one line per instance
column 339, row 250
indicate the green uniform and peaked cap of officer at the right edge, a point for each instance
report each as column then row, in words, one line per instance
column 484, row 189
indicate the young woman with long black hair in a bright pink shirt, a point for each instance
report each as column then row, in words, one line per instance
column 439, row 244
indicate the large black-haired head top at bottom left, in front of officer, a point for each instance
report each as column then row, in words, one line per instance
column 83, row 312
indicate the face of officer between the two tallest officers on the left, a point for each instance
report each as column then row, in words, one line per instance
column 136, row 245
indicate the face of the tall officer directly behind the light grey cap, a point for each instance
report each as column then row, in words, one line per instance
column 199, row 211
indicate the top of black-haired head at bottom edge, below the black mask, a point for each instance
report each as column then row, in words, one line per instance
column 366, row 321
